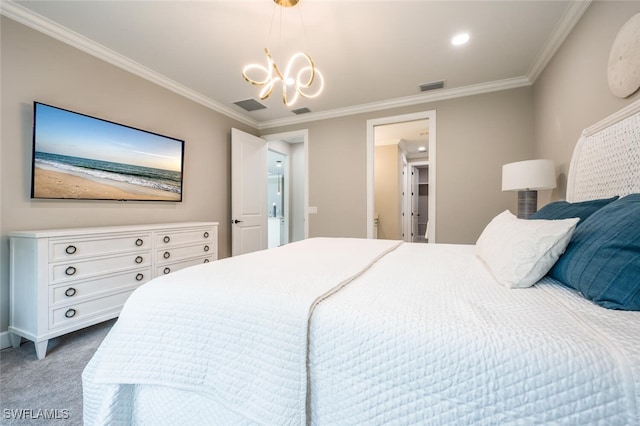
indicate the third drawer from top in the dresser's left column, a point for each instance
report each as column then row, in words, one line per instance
column 79, row 291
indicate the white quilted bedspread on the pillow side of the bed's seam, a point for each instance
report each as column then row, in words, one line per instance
column 427, row 336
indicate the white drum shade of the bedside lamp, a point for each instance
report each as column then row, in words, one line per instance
column 528, row 175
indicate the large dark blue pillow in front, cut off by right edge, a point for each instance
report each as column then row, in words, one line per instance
column 602, row 261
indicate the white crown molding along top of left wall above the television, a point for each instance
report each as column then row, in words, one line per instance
column 20, row 14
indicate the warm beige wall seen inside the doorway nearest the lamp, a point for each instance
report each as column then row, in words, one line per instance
column 388, row 187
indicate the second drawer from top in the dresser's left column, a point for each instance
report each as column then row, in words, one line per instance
column 72, row 271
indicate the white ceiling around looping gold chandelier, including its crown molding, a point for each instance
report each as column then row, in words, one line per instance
column 373, row 54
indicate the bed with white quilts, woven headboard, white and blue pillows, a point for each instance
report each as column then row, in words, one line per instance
column 354, row 331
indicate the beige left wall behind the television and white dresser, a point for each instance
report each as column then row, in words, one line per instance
column 37, row 67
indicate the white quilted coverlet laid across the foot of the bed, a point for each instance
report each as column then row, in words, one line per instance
column 235, row 330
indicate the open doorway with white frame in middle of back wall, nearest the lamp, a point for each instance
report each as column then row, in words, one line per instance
column 399, row 148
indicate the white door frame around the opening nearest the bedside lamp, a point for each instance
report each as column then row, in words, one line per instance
column 431, row 116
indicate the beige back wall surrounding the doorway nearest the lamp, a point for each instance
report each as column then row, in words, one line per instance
column 476, row 135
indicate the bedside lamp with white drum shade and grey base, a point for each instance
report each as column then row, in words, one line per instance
column 527, row 177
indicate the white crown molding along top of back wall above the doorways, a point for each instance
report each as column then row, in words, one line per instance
column 443, row 94
